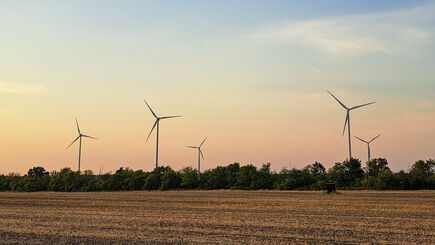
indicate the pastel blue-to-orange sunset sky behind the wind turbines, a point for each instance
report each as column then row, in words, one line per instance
column 250, row 75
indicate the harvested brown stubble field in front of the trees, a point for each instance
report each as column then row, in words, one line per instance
column 227, row 217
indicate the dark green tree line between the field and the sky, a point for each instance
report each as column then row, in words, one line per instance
column 349, row 174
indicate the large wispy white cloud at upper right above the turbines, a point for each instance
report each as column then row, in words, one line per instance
column 386, row 32
